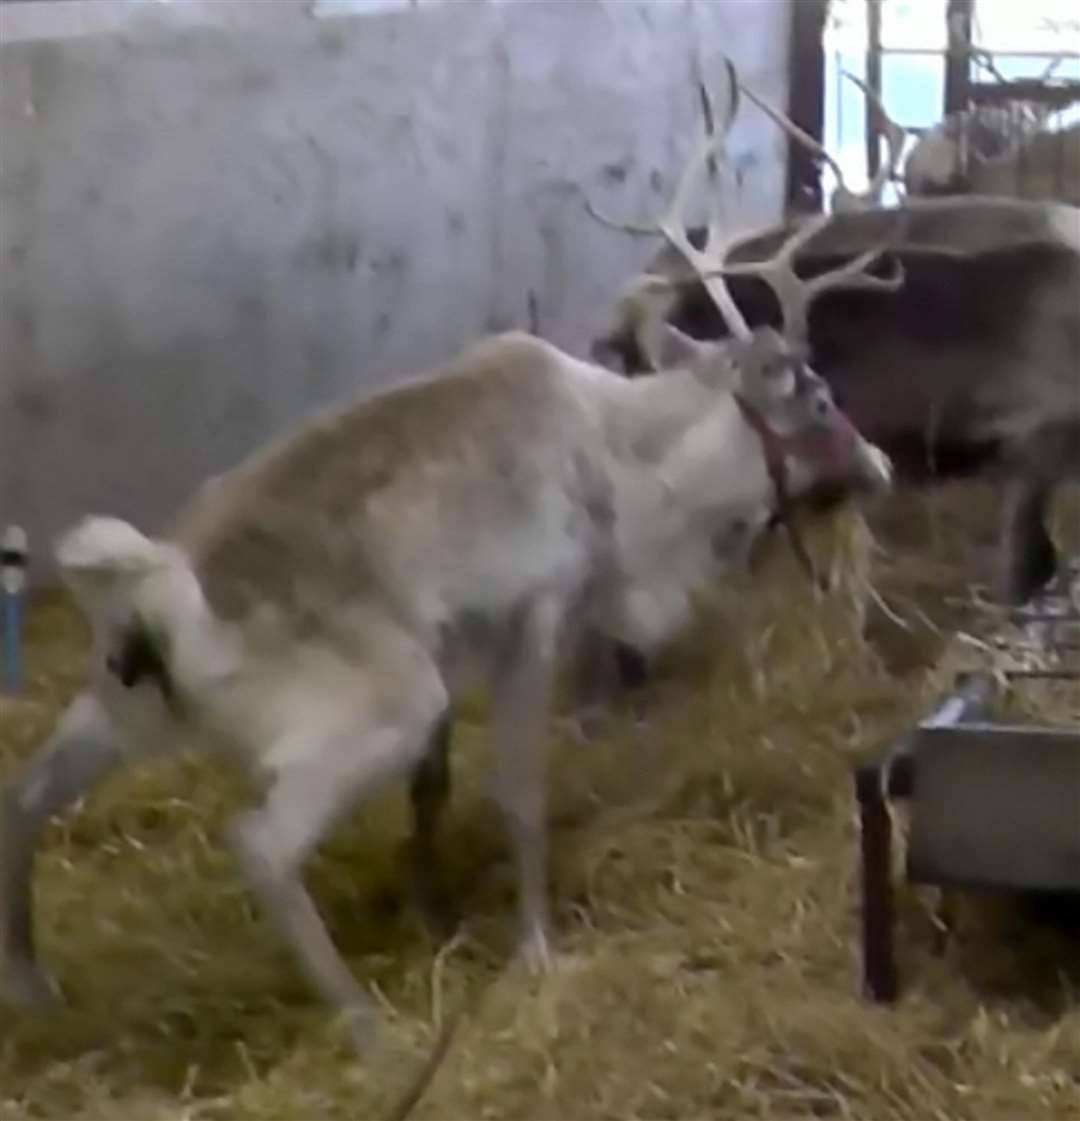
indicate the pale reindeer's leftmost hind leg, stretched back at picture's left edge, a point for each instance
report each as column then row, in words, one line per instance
column 81, row 752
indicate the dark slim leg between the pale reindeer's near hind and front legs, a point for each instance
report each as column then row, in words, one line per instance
column 430, row 793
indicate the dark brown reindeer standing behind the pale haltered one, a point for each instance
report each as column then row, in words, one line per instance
column 975, row 359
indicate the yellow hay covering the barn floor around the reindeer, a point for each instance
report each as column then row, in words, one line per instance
column 705, row 890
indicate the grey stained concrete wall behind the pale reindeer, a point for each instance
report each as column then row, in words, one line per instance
column 207, row 230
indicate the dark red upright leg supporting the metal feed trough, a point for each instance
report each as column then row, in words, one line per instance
column 879, row 961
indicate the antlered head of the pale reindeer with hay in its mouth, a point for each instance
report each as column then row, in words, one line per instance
column 769, row 370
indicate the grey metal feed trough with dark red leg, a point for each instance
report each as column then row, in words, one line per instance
column 992, row 807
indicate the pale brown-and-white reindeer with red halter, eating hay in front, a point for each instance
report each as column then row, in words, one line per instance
column 316, row 610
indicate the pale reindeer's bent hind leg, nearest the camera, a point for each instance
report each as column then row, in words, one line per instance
column 315, row 781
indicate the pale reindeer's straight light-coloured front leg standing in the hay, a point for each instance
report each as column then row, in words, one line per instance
column 523, row 693
